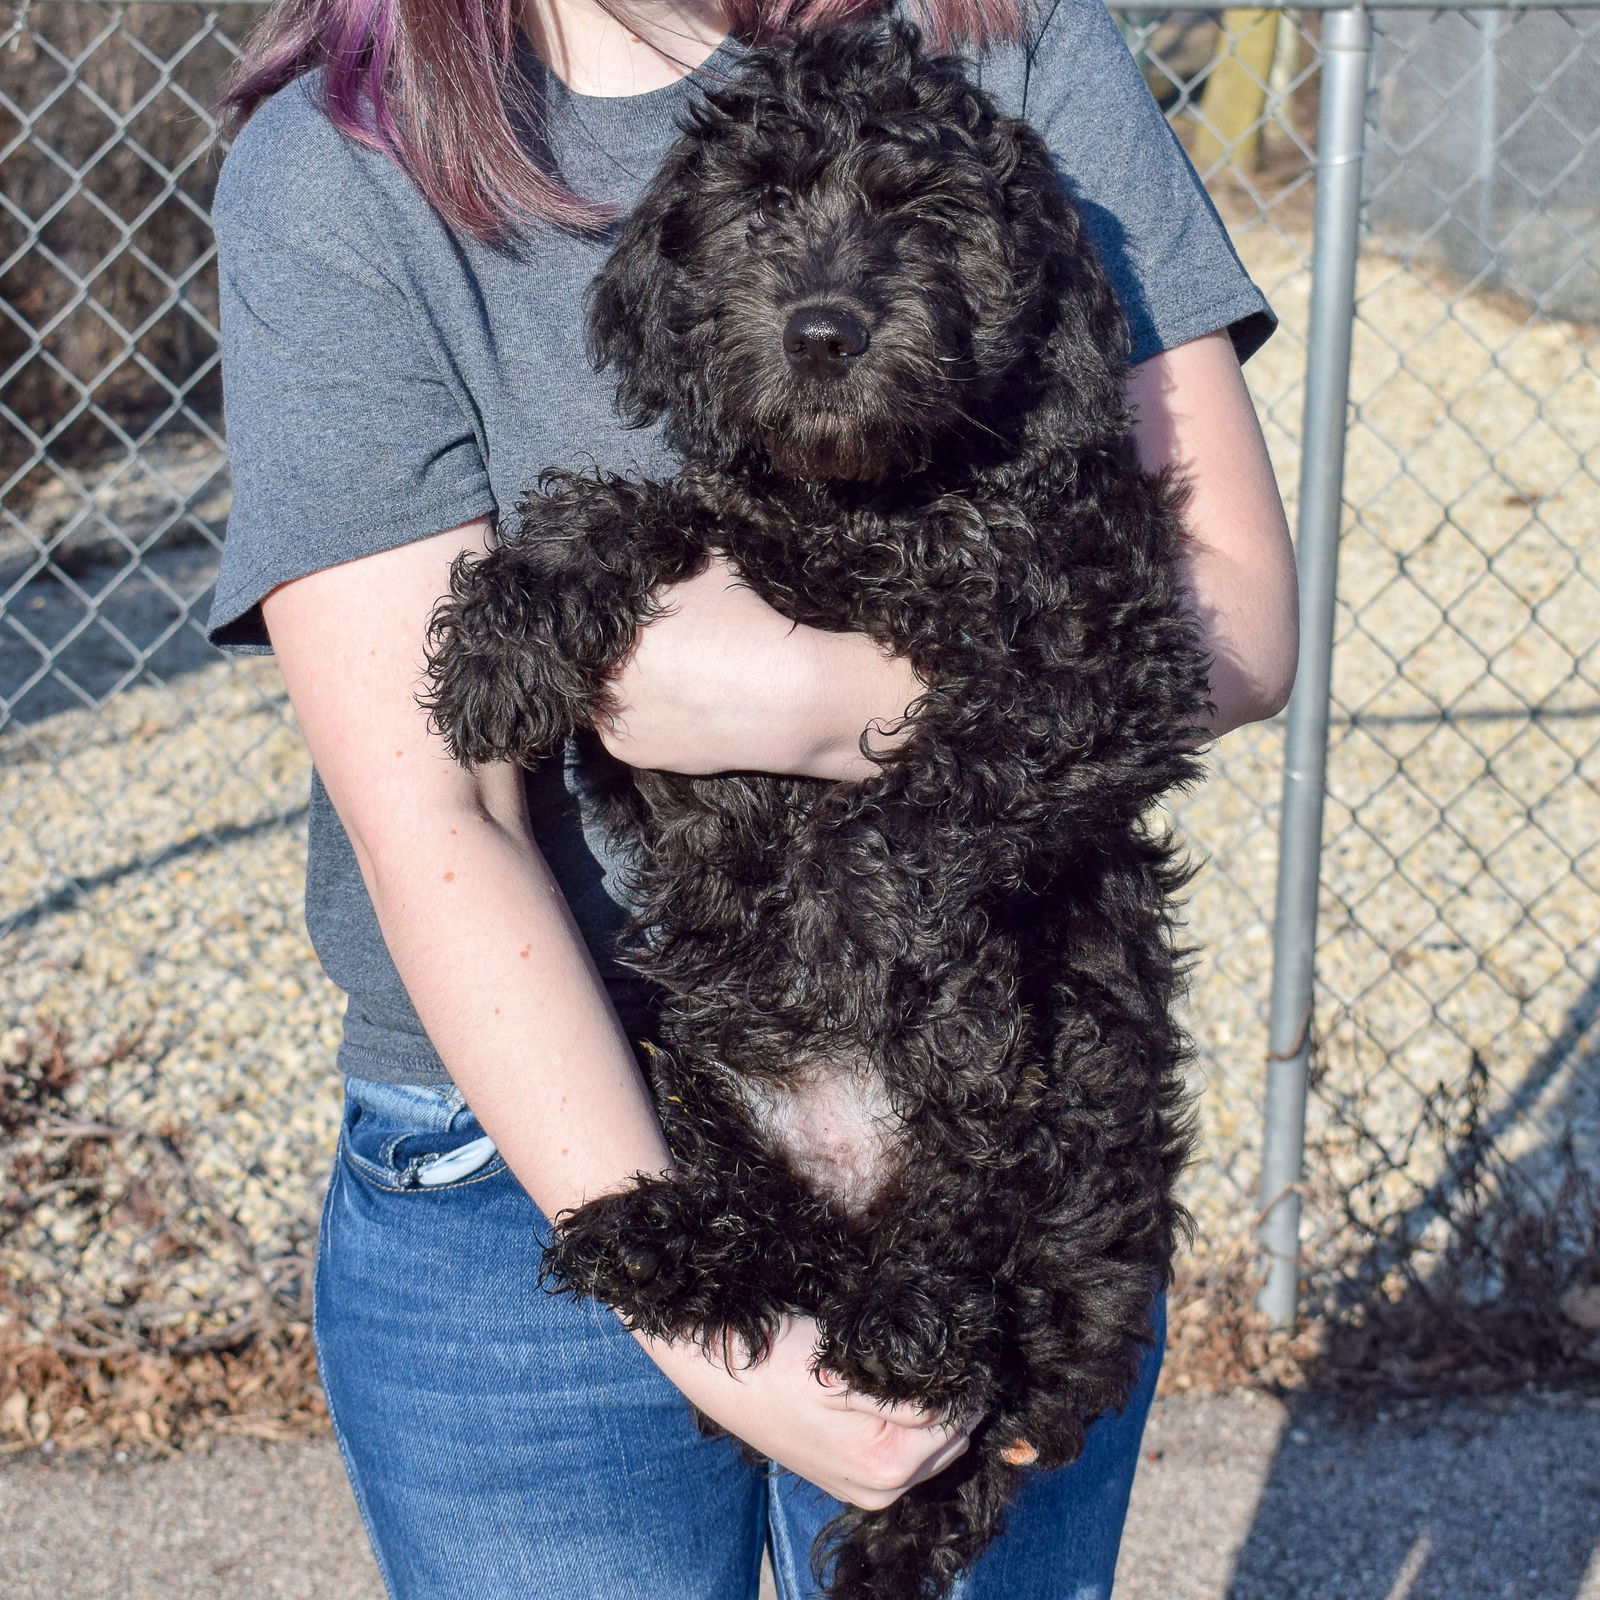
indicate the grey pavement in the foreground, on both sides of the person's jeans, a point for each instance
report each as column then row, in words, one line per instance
column 1239, row 1498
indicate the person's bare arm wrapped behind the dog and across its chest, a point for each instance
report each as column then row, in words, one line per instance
column 724, row 682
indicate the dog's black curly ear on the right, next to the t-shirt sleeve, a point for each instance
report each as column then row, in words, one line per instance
column 1066, row 308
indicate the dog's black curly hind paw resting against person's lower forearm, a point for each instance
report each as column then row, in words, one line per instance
column 676, row 1262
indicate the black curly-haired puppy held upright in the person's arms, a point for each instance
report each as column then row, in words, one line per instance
column 895, row 370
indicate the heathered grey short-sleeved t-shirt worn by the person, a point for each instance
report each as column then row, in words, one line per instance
column 388, row 380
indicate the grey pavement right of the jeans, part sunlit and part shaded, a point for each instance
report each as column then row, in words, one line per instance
column 1246, row 1498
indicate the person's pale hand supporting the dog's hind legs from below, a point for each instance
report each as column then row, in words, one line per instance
column 858, row 1450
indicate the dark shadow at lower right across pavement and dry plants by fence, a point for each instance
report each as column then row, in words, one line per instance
column 1447, row 1502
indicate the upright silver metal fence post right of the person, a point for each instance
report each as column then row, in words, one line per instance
column 1346, row 41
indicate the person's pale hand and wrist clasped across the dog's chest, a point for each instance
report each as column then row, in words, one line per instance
column 721, row 682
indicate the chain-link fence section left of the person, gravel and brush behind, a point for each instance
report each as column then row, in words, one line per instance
column 167, row 1034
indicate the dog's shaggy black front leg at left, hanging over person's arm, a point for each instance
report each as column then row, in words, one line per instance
column 524, row 649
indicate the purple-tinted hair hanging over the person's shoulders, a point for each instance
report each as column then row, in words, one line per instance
column 433, row 86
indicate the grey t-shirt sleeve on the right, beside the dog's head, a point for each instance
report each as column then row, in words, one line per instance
column 1162, row 242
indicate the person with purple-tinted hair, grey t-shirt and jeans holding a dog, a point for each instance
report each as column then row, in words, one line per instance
column 412, row 209
